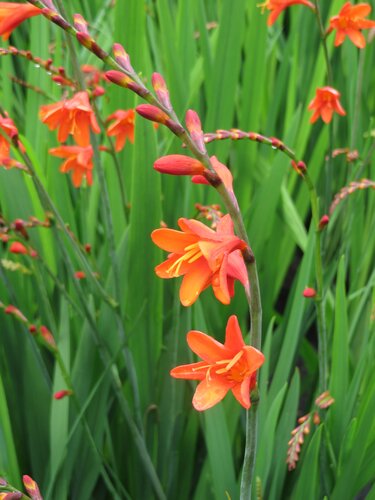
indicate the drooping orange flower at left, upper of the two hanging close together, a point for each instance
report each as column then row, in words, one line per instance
column 73, row 116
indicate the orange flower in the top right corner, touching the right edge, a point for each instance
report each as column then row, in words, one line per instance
column 349, row 22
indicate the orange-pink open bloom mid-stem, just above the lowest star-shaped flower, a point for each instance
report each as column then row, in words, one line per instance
column 203, row 257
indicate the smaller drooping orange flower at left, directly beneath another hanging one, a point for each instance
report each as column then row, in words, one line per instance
column 78, row 159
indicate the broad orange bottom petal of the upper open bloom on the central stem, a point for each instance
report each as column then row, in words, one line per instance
column 195, row 281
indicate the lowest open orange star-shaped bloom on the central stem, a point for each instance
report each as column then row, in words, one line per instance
column 229, row 366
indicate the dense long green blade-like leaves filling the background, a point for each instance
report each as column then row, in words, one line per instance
column 129, row 431
